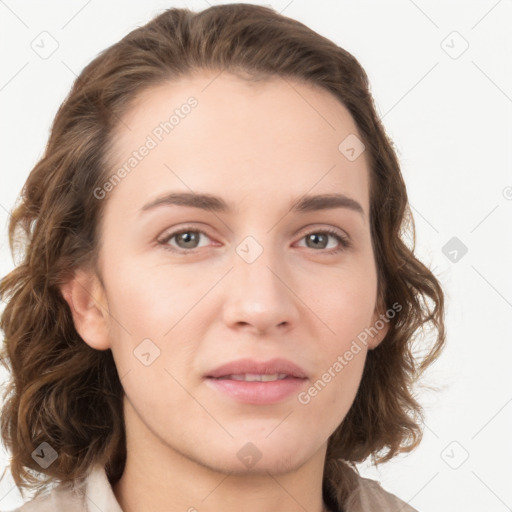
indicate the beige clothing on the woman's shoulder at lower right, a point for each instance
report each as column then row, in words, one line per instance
column 370, row 496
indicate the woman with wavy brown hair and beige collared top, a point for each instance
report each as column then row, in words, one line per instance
column 222, row 308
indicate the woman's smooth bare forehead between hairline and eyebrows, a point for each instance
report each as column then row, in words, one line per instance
column 265, row 136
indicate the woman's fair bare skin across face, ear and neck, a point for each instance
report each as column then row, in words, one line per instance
column 260, row 146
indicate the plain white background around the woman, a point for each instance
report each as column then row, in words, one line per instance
column 450, row 119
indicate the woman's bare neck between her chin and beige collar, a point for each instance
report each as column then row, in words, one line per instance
column 159, row 478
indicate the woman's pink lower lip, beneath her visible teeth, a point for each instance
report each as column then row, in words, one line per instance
column 258, row 393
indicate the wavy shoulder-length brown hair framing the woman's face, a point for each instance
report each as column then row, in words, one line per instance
column 63, row 392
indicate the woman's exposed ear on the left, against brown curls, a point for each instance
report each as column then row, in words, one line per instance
column 85, row 296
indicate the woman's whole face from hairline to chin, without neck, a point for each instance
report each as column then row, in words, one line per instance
column 250, row 277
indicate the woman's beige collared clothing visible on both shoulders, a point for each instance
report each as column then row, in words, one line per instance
column 95, row 493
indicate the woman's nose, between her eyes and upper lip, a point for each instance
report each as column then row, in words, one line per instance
column 260, row 297
